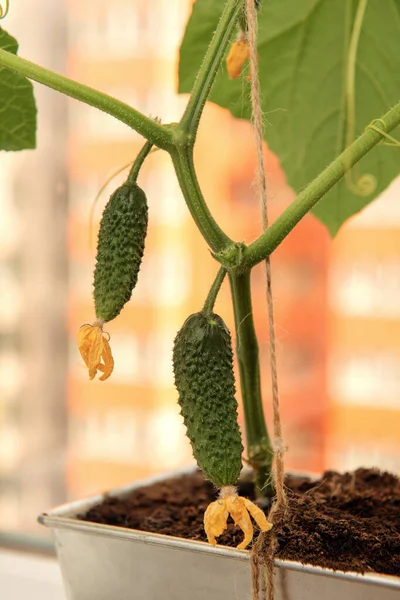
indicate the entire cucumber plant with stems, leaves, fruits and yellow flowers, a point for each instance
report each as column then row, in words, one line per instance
column 328, row 75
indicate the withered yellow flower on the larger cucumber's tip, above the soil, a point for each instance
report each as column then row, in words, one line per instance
column 240, row 509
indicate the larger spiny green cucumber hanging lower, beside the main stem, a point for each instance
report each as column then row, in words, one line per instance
column 203, row 369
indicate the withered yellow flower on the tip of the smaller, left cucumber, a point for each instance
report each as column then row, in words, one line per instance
column 95, row 348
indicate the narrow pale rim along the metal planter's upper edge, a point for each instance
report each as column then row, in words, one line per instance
column 65, row 517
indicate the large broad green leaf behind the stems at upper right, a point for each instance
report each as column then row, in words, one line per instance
column 303, row 51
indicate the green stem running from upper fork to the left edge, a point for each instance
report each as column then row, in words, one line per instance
column 158, row 134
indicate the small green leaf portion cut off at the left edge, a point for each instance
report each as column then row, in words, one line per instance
column 17, row 105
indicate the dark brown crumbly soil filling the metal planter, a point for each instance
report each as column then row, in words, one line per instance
column 349, row 522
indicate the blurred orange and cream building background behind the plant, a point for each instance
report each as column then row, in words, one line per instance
column 336, row 303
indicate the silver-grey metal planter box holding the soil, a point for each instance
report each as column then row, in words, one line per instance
column 101, row 562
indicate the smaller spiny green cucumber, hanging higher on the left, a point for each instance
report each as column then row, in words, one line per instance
column 120, row 248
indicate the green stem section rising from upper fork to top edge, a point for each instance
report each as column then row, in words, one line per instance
column 210, row 66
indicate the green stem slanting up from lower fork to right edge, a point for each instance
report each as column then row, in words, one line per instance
column 276, row 233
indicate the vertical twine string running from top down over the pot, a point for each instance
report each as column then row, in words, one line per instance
column 278, row 469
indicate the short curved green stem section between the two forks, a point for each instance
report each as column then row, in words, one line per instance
column 183, row 162
